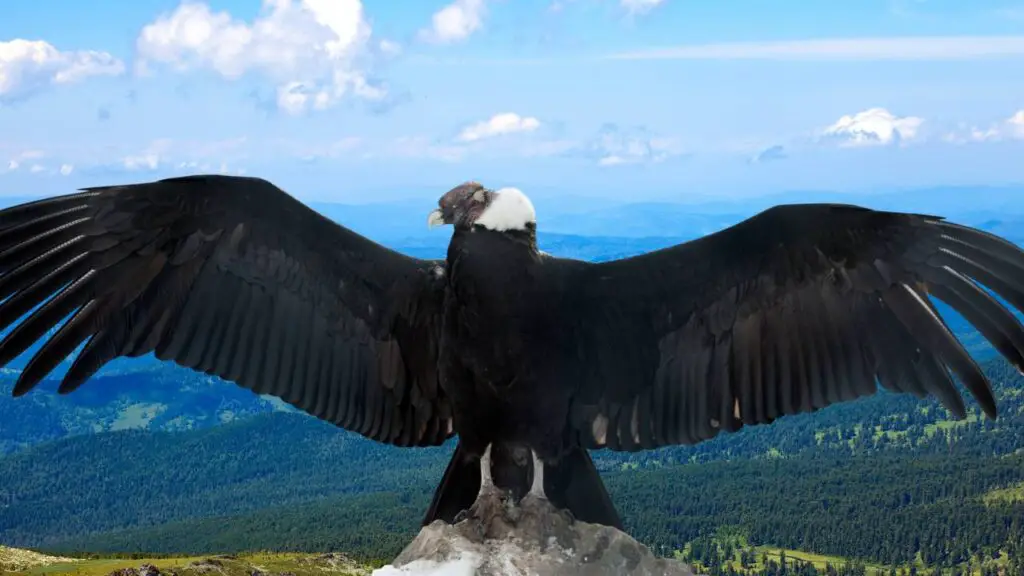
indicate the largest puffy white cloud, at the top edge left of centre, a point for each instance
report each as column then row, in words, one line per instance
column 313, row 50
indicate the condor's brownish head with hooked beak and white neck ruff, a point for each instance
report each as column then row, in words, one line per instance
column 472, row 204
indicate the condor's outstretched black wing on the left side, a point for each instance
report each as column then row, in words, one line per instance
column 229, row 276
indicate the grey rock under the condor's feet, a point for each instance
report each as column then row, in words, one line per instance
column 532, row 539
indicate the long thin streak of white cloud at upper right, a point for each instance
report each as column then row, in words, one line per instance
column 910, row 49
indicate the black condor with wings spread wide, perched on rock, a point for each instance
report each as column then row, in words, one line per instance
column 517, row 352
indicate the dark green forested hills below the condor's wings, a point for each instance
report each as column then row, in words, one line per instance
column 888, row 481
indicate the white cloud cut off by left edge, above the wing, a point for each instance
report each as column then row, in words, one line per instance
column 29, row 66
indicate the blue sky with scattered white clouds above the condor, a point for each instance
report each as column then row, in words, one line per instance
column 625, row 100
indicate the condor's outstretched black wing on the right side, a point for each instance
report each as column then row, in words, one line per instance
column 793, row 310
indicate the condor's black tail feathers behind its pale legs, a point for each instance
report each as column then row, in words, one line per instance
column 572, row 484
